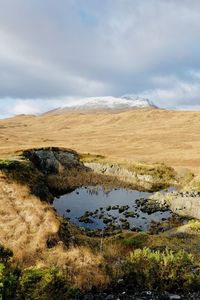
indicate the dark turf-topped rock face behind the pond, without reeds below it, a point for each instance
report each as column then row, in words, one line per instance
column 54, row 160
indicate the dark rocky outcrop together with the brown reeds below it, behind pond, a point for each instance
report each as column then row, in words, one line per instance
column 61, row 168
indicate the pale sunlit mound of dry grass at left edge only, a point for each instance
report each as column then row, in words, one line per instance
column 25, row 222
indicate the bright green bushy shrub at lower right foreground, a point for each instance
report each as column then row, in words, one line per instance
column 165, row 270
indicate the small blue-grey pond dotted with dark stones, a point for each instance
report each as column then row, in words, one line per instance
column 94, row 208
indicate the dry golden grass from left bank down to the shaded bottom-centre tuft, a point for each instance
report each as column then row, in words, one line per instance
column 26, row 224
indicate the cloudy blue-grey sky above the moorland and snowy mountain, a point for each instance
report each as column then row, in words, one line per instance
column 52, row 52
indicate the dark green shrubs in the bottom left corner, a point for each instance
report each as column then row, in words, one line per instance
column 32, row 283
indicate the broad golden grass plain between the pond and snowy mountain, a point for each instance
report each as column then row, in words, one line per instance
column 135, row 135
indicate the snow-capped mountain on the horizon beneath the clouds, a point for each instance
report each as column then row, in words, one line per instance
column 106, row 103
